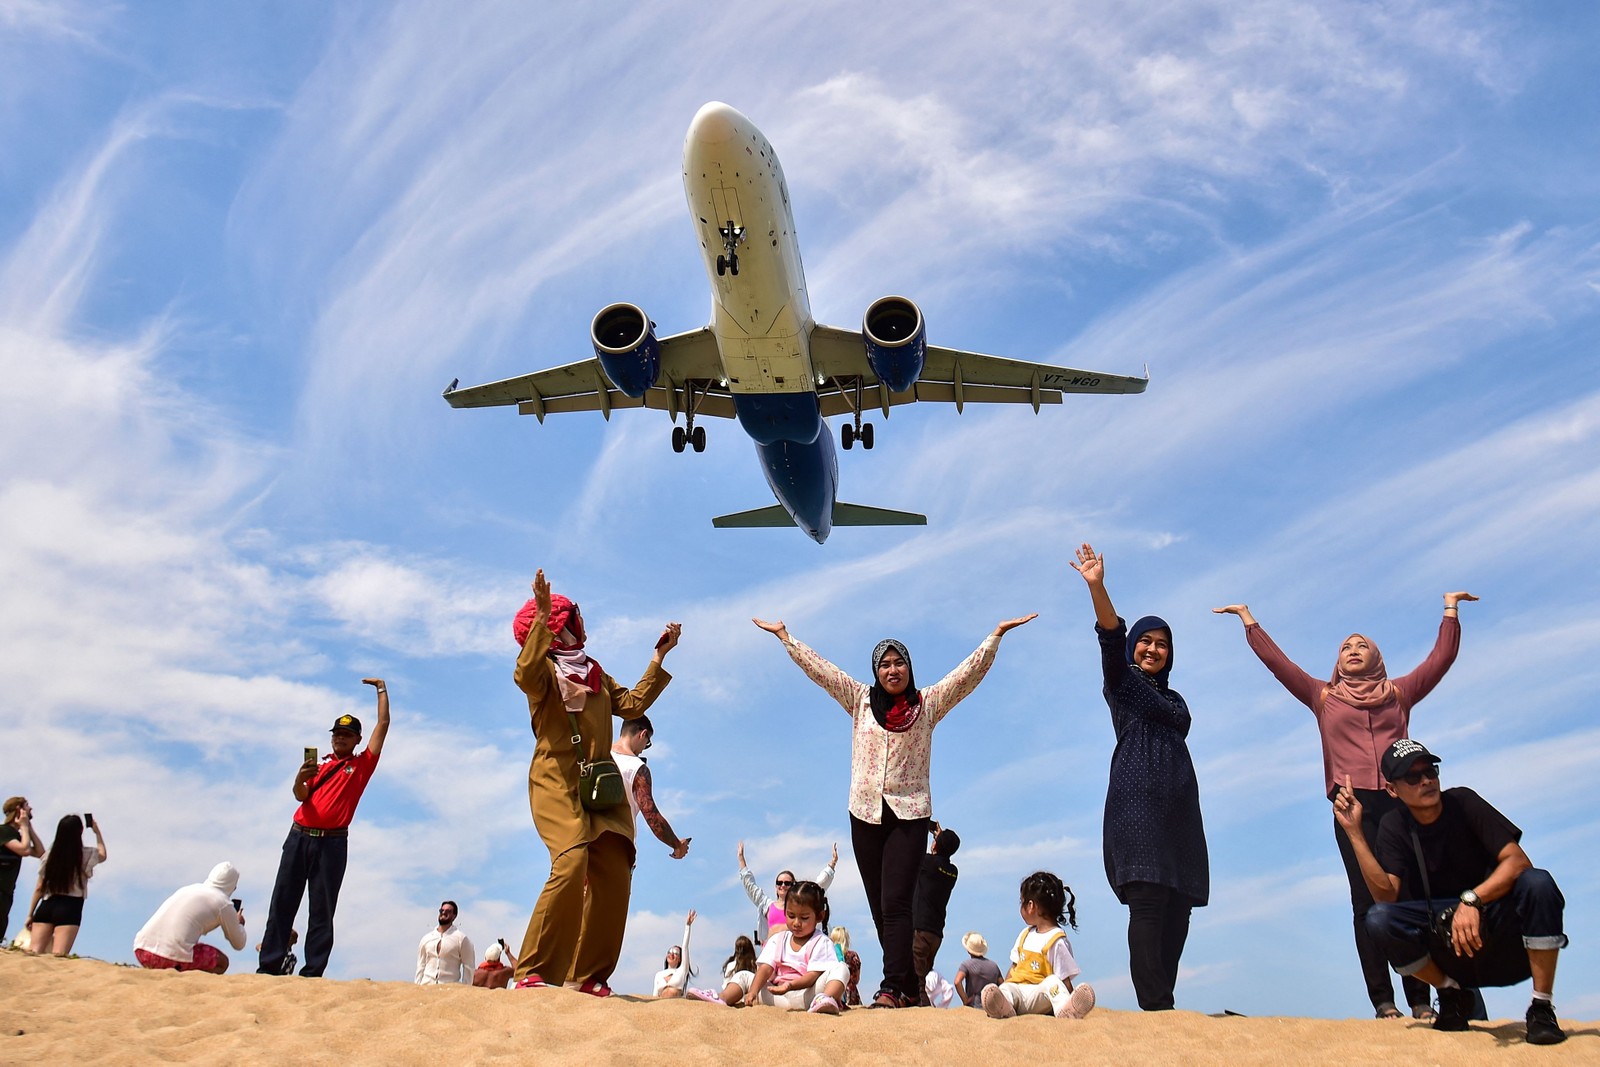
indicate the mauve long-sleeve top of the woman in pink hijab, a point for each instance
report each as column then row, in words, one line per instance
column 1354, row 740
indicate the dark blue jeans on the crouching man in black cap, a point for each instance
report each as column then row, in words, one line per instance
column 1530, row 917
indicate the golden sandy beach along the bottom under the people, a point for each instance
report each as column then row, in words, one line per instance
column 63, row 1012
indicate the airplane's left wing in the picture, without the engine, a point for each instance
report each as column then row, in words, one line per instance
column 689, row 362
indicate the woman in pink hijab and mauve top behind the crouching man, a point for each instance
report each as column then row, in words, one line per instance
column 1361, row 711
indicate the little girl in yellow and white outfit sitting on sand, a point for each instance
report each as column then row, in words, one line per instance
column 1041, row 980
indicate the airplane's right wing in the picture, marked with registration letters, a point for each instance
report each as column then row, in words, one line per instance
column 951, row 377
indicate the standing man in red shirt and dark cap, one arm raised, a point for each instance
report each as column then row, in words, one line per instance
column 318, row 847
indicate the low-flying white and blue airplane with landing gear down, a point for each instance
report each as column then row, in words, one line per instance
column 764, row 361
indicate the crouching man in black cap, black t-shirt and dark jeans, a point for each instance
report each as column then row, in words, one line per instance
column 1452, row 853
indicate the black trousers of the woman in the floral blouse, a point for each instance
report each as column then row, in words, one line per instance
column 889, row 857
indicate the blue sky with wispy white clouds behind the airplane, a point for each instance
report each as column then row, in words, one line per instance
column 244, row 249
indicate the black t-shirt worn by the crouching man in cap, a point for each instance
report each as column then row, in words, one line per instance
column 1462, row 845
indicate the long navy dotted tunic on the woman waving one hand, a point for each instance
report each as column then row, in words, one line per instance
column 1153, row 802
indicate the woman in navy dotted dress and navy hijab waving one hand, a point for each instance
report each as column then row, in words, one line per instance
column 1154, row 841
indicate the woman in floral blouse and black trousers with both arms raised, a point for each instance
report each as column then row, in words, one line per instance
column 890, row 809
